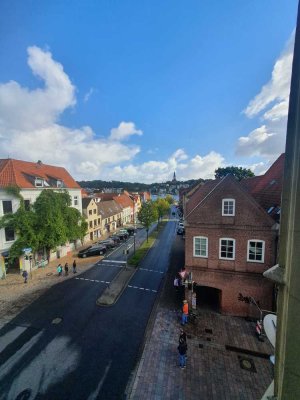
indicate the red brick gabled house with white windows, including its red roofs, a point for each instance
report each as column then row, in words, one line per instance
column 231, row 239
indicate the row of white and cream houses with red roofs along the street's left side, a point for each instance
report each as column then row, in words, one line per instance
column 103, row 212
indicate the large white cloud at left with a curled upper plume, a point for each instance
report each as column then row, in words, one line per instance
column 30, row 129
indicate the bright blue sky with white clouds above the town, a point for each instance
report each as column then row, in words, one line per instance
column 133, row 90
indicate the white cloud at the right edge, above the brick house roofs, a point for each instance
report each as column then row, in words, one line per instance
column 268, row 140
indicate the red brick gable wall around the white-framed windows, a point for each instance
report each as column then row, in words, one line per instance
column 238, row 275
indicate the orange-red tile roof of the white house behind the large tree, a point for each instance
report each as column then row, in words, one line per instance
column 22, row 174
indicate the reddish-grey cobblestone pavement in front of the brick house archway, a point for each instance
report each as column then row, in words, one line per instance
column 214, row 370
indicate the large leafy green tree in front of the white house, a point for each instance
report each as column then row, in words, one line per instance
column 49, row 223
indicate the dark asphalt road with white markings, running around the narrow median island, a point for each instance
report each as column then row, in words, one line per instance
column 66, row 347
